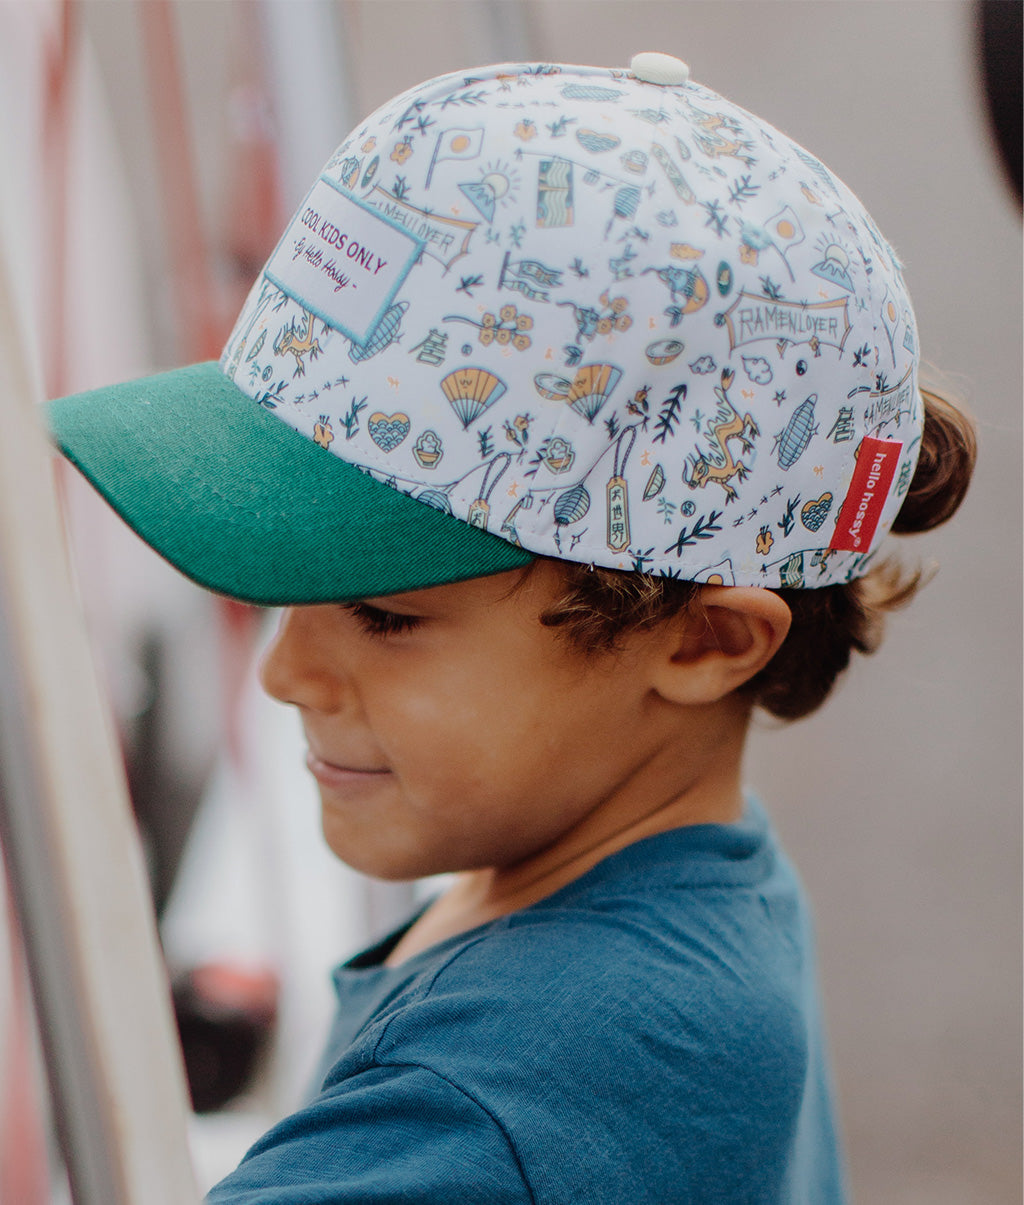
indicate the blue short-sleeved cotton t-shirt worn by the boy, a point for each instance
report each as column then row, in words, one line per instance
column 651, row 1033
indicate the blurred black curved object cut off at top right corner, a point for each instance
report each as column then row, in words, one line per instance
column 1001, row 44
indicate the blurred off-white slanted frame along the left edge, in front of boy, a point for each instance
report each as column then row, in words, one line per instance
column 76, row 869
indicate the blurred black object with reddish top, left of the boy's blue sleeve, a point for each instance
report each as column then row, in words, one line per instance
column 226, row 1016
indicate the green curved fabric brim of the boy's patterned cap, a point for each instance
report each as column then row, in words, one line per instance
column 246, row 507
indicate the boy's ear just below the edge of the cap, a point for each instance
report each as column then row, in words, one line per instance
column 720, row 643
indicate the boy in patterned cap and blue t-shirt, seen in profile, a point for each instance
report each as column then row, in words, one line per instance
column 585, row 399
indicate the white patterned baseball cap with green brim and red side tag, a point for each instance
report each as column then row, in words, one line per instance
column 528, row 310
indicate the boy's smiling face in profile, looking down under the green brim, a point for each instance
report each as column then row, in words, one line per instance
column 450, row 731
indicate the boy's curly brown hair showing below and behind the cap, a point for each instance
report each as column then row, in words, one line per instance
column 599, row 607
